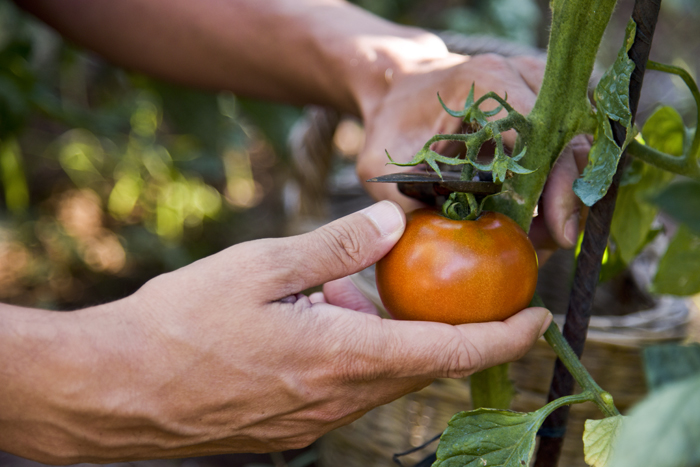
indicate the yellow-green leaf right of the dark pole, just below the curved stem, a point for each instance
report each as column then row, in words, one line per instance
column 634, row 213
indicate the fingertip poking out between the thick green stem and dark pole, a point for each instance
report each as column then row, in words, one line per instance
column 561, row 207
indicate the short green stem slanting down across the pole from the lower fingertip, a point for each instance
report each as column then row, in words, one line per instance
column 566, row 354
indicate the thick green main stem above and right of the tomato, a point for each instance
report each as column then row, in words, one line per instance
column 562, row 109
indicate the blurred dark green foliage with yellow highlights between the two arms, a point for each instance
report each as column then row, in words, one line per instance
column 108, row 178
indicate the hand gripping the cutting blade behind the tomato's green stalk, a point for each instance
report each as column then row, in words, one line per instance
column 408, row 114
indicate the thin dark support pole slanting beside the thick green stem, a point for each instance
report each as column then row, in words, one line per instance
column 595, row 240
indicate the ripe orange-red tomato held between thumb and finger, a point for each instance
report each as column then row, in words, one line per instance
column 458, row 272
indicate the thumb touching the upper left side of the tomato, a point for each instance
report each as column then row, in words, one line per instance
column 343, row 247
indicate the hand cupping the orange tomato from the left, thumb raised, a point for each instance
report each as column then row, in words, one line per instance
column 226, row 355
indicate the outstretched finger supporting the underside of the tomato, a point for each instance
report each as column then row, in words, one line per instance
column 438, row 350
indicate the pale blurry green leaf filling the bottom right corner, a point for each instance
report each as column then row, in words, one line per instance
column 663, row 430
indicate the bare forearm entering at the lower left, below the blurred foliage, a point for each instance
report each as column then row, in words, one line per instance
column 65, row 381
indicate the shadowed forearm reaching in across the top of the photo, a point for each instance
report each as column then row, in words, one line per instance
column 312, row 51
